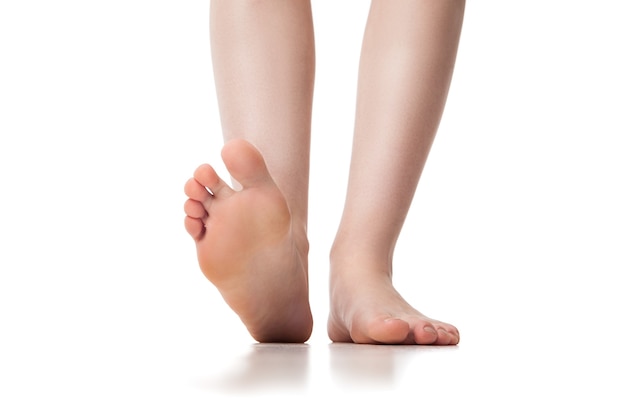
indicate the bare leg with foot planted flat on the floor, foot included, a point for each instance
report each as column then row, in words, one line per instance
column 407, row 60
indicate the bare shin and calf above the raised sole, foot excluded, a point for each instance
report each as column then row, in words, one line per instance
column 264, row 64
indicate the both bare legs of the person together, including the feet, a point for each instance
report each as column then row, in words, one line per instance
column 251, row 237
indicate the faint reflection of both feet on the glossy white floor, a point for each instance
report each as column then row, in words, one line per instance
column 279, row 367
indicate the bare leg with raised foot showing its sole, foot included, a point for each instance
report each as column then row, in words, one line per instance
column 251, row 239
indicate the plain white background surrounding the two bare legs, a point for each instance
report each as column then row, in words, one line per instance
column 517, row 233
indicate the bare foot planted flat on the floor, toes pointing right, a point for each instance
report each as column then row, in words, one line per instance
column 366, row 308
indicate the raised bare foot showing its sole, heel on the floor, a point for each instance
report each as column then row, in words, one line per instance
column 249, row 247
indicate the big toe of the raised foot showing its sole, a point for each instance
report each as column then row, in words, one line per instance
column 245, row 163
